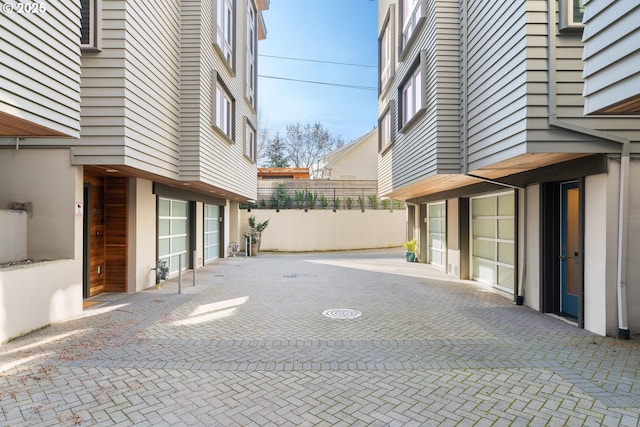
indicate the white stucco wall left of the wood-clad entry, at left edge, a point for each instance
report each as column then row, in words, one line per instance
column 33, row 296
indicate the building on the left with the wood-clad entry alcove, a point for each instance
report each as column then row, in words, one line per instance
column 130, row 128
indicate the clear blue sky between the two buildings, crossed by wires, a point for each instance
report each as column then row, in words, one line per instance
column 343, row 31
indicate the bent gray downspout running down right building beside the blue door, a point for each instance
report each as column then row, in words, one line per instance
column 621, row 273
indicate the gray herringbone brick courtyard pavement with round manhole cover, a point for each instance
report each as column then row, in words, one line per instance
column 249, row 346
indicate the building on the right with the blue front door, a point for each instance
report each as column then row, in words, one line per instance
column 513, row 179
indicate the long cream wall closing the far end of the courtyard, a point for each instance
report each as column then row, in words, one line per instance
column 322, row 230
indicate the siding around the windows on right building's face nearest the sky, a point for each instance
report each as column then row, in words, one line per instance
column 431, row 145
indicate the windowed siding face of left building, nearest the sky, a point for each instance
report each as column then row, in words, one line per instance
column 205, row 154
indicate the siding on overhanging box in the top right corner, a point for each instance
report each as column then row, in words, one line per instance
column 612, row 50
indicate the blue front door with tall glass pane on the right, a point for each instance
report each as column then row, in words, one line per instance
column 570, row 249
